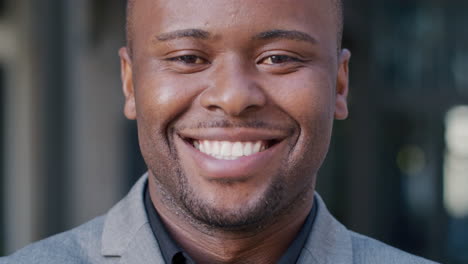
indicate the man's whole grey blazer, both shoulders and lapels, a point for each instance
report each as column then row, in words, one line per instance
column 124, row 235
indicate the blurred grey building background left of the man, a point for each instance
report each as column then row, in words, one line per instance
column 67, row 149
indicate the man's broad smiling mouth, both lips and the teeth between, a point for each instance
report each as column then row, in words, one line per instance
column 231, row 154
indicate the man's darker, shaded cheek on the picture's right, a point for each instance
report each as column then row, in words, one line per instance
column 308, row 98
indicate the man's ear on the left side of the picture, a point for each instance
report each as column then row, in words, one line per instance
column 127, row 83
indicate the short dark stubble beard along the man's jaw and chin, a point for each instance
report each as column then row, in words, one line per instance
column 183, row 198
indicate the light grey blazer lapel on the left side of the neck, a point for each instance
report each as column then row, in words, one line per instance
column 127, row 235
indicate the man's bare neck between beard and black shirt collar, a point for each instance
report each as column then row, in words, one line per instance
column 215, row 245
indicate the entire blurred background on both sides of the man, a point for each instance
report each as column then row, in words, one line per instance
column 397, row 168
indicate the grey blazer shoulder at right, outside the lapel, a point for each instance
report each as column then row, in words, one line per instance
column 368, row 250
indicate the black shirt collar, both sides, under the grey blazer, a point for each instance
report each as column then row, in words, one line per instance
column 174, row 254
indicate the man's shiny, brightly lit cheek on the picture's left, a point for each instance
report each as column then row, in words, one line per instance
column 160, row 99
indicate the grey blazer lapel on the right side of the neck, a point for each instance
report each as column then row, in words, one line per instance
column 328, row 242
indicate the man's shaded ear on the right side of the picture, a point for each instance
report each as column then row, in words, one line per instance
column 342, row 86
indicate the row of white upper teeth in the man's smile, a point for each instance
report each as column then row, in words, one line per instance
column 226, row 150
